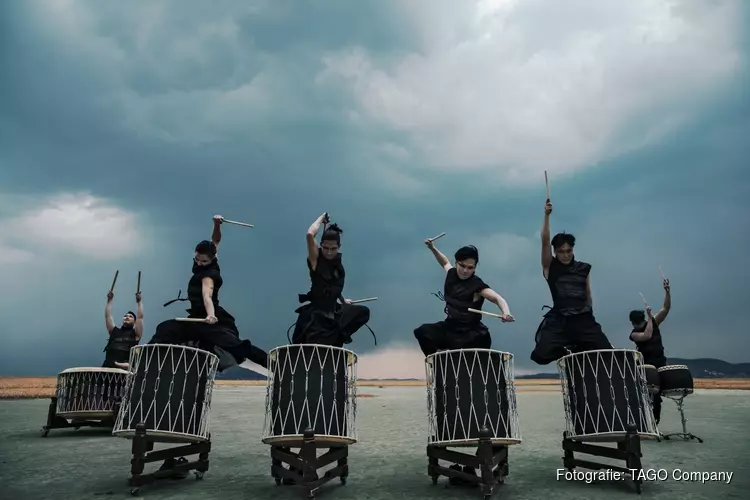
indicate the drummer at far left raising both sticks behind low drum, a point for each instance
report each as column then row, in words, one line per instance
column 123, row 337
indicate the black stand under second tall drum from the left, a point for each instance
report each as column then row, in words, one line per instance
column 304, row 465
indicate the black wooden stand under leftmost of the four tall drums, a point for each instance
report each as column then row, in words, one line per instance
column 143, row 453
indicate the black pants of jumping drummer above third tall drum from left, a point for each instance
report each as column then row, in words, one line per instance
column 448, row 335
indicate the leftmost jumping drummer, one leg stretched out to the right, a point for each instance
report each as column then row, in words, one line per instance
column 218, row 333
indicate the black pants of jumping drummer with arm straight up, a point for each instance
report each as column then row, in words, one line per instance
column 556, row 332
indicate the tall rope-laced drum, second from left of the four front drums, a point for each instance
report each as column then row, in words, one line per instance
column 311, row 386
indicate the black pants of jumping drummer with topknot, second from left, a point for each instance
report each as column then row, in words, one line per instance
column 329, row 327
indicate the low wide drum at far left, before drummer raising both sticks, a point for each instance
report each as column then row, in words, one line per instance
column 89, row 393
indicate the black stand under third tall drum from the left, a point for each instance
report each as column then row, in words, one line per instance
column 492, row 462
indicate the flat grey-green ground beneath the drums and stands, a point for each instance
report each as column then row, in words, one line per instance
column 387, row 463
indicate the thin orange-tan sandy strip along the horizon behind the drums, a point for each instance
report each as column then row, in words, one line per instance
column 35, row 387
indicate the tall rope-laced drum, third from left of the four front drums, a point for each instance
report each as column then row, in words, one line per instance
column 468, row 389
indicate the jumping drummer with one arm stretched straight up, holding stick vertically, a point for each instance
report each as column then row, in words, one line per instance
column 570, row 323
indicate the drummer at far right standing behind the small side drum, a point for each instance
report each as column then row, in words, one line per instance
column 647, row 337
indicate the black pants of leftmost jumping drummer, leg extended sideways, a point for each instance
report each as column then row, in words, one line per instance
column 224, row 336
